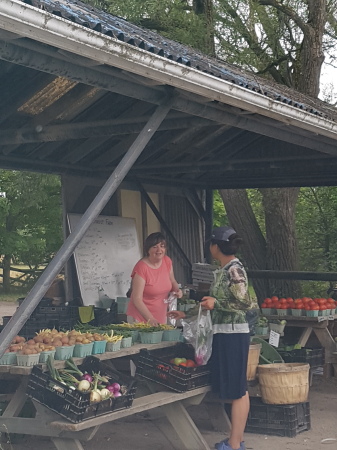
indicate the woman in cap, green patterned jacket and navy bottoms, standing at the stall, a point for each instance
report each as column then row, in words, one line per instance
column 228, row 302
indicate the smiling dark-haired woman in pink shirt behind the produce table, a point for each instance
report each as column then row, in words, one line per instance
column 152, row 281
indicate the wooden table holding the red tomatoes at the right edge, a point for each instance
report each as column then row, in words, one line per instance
column 320, row 326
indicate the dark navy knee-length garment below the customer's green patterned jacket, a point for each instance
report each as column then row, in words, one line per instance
column 229, row 365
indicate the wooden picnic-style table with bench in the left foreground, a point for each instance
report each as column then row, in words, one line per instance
column 66, row 435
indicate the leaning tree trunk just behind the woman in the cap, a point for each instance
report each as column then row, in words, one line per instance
column 242, row 219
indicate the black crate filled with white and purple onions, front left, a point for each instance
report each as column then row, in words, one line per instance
column 80, row 392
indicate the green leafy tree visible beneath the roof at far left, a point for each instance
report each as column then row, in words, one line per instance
column 30, row 220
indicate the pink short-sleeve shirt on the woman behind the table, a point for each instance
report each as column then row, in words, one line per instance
column 156, row 290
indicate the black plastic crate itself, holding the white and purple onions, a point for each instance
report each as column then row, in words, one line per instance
column 75, row 405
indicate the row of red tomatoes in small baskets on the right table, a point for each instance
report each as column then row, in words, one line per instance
column 305, row 306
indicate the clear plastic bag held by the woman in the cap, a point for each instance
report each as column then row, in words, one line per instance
column 198, row 331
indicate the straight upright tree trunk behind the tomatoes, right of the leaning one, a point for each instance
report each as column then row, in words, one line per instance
column 282, row 252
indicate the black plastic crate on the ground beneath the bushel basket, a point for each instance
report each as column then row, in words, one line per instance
column 278, row 420
